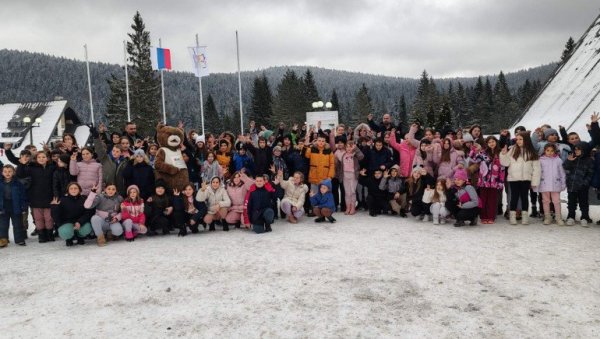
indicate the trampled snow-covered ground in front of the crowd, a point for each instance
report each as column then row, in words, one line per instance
column 360, row 277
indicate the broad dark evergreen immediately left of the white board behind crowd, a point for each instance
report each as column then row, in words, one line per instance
column 290, row 103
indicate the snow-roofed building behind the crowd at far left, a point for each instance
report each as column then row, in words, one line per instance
column 38, row 122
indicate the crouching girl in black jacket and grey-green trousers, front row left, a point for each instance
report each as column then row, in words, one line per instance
column 71, row 216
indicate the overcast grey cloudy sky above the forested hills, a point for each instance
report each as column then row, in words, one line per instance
column 396, row 38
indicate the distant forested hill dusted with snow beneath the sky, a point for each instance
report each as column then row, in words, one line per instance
column 27, row 76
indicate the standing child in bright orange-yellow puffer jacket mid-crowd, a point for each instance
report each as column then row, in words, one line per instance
column 322, row 161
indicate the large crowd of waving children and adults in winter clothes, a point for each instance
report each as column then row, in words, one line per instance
column 108, row 189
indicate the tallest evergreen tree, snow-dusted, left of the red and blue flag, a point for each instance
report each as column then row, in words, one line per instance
column 144, row 84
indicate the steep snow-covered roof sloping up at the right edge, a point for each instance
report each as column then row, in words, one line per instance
column 571, row 96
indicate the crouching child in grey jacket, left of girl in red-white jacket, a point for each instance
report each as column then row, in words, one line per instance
column 108, row 216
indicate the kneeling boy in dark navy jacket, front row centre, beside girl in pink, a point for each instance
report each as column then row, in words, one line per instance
column 259, row 206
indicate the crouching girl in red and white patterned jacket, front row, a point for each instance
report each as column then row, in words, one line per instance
column 132, row 213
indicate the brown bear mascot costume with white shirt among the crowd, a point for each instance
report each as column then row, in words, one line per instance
column 169, row 164
